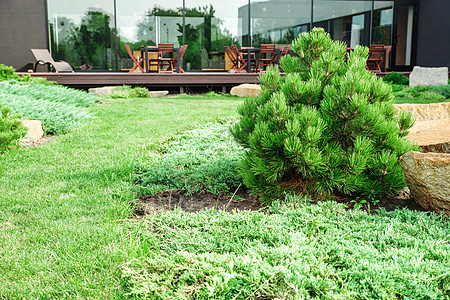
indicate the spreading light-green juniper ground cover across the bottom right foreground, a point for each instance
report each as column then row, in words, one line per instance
column 298, row 251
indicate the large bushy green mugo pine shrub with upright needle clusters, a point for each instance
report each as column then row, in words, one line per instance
column 327, row 126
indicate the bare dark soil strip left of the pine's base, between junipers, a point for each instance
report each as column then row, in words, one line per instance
column 174, row 199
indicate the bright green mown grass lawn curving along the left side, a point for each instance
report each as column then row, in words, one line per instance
column 61, row 205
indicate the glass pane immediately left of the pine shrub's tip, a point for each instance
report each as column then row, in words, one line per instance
column 278, row 21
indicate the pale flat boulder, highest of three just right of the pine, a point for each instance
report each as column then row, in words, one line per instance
column 425, row 112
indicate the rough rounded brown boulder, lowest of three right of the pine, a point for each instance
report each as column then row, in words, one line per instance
column 428, row 178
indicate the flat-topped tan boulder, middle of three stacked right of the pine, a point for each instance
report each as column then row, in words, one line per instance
column 432, row 136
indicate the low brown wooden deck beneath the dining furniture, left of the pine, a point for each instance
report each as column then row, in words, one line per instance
column 150, row 80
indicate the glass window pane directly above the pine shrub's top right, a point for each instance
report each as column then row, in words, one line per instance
column 345, row 20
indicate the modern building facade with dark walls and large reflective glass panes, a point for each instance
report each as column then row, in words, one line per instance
column 94, row 31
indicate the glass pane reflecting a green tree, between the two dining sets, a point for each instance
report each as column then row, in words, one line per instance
column 211, row 25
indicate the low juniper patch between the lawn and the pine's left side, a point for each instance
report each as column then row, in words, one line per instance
column 204, row 158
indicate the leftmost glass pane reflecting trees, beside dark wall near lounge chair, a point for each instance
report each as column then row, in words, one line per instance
column 83, row 32
